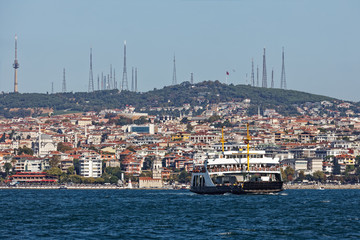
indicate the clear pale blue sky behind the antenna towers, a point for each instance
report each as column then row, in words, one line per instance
column 209, row 37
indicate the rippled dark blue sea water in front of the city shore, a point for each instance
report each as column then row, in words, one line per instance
column 164, row 214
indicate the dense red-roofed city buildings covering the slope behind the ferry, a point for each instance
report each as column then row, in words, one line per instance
column 118, row 145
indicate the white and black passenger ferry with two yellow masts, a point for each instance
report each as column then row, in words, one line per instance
column 237, row 172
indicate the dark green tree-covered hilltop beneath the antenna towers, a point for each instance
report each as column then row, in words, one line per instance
column 200, row 94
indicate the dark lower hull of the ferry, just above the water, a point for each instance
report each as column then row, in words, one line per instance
column 246, row 188
